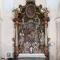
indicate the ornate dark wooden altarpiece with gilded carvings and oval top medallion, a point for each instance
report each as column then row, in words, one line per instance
column 30, row 23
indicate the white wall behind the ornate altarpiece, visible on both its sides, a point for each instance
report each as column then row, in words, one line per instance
column 8, row 28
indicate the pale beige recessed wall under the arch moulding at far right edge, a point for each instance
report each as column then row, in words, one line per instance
column 58, row 38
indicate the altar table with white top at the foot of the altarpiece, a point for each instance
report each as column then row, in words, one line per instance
column 31, row 56
